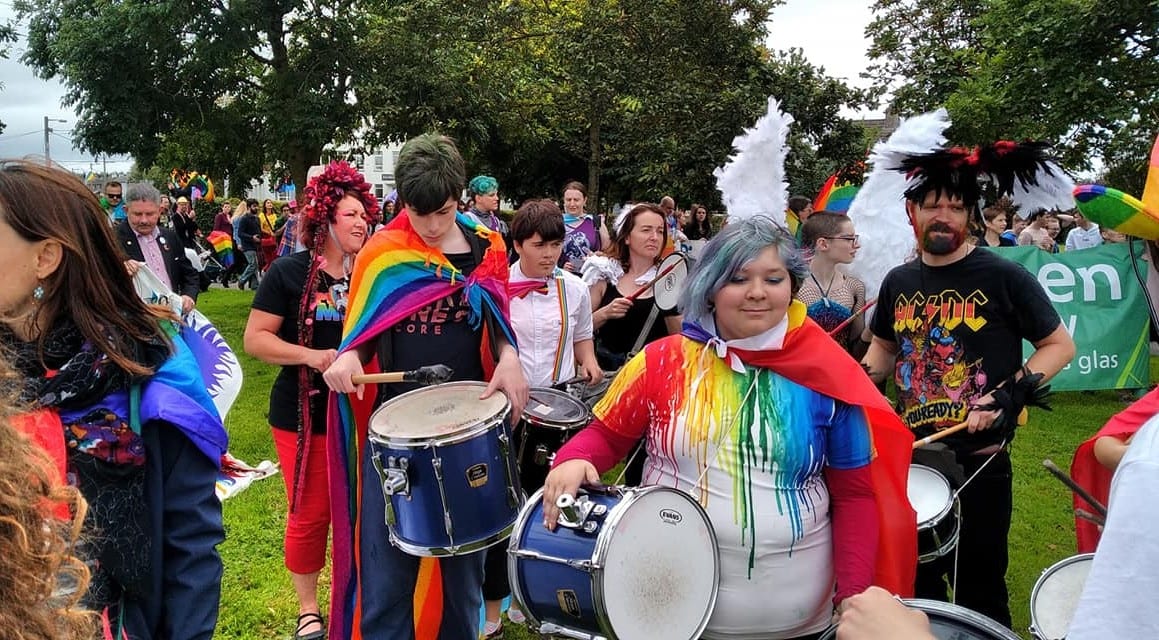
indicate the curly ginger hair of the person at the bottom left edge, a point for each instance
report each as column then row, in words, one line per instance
column 43, row 581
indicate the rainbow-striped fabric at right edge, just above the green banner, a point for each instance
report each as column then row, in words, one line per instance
column 1113, row 209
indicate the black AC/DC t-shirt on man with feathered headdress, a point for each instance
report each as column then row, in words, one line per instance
column 959, row 330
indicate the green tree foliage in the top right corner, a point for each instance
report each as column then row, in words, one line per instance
column 1081, row 74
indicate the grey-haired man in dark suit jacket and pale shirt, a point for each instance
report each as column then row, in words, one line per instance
column 147, row 243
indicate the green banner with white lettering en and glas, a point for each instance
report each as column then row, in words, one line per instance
column 1102, row 302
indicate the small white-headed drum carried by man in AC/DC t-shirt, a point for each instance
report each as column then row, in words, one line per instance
column 938, row 513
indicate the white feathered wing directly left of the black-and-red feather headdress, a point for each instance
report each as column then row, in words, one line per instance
column 879, row 209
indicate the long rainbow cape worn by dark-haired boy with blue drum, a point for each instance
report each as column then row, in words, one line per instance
column 395, row 277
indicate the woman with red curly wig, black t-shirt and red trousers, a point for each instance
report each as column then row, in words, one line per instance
column 296, row 322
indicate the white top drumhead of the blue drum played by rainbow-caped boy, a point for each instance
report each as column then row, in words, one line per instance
column 436, row 411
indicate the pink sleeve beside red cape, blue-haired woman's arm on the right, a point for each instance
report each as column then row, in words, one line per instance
column 856, row 529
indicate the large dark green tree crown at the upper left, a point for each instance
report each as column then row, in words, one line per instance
column 263, row 79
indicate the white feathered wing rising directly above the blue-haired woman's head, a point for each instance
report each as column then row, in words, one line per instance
column 753, row 181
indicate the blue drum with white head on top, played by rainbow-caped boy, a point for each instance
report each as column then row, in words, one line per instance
column 448, row 469
